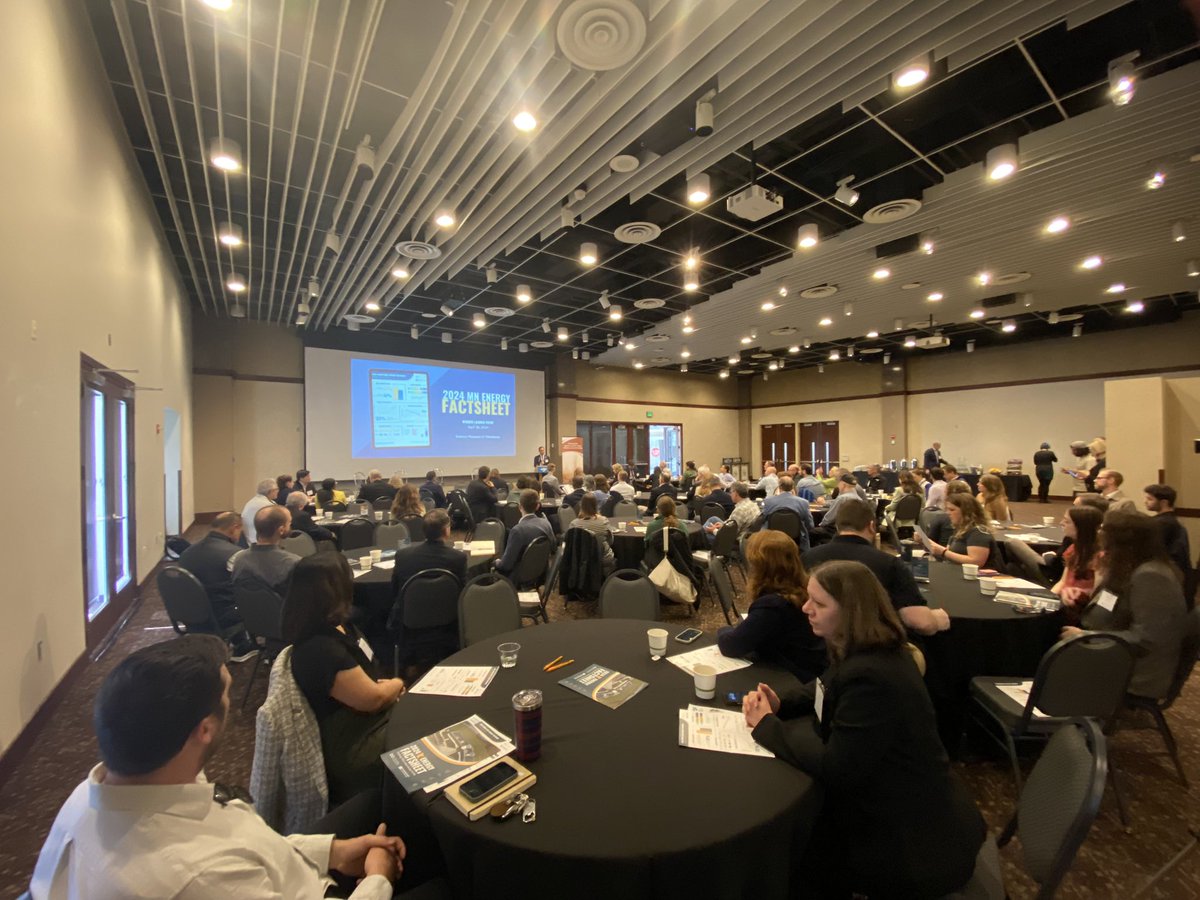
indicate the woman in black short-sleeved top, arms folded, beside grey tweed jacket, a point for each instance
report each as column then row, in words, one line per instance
column 335, row 669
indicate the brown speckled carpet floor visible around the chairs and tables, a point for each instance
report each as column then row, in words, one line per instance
column 1112, row 863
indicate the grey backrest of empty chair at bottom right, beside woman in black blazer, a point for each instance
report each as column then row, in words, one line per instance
column 1060, row 802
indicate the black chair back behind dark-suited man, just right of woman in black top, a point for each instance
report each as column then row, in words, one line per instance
column 424, row 620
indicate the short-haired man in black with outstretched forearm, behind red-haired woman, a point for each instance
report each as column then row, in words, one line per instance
column 856, row 542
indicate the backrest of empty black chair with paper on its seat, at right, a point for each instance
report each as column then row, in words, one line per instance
column 1084, row 676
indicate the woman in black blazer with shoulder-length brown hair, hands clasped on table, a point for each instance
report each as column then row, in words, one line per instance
column 896, row 823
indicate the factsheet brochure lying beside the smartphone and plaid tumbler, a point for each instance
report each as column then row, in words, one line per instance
column 446, row 757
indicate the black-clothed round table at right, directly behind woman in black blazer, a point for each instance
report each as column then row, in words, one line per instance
column 986, row 639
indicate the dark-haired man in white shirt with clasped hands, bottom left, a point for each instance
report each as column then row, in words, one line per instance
column 147, row 823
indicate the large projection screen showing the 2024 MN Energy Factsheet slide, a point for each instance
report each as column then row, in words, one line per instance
column 409, row 416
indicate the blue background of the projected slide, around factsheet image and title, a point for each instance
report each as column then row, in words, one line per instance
column 449, row 433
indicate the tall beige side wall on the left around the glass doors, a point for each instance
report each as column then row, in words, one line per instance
column 87, row 271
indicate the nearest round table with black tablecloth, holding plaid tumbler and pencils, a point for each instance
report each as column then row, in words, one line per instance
column 623, row 811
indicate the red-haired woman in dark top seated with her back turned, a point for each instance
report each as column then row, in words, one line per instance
column 776, row 632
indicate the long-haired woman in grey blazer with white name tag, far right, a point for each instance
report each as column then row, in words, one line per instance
column 1139, row 597
